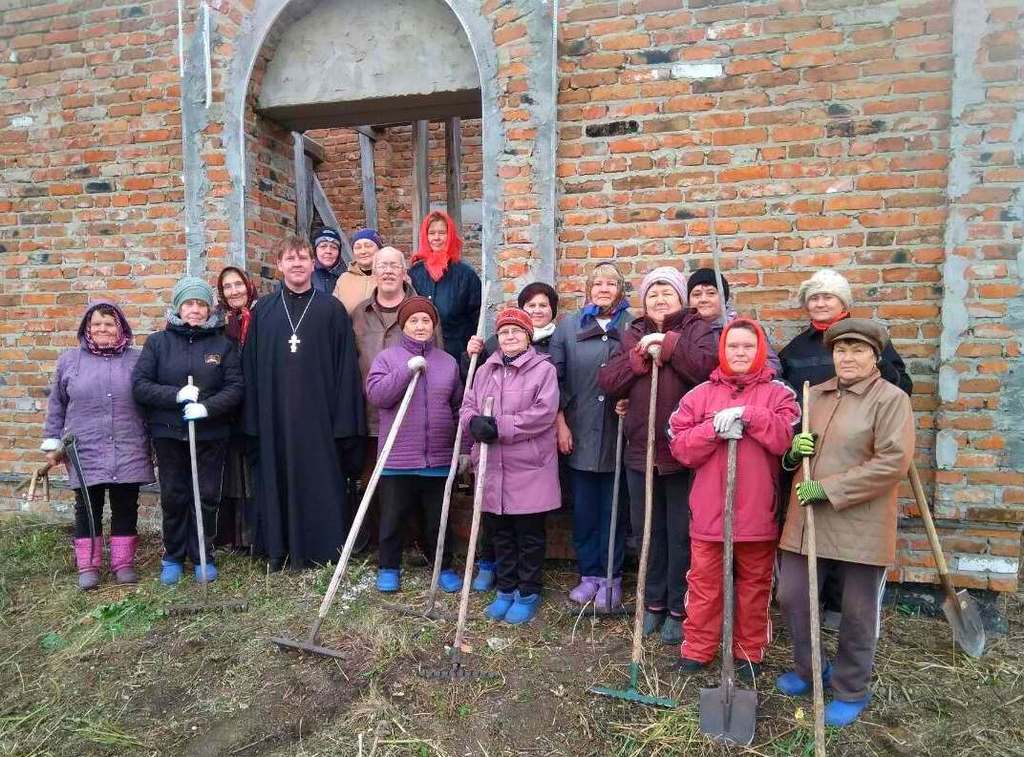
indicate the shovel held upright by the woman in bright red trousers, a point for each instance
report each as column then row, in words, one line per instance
column 729, row 714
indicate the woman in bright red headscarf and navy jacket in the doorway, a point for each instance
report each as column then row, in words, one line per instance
column 453, row 286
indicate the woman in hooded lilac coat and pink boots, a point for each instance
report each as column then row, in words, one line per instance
column 92, row 398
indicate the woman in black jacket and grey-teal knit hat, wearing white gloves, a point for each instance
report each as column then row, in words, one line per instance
column 191, row 371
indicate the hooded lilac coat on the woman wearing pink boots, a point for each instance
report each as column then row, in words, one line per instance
column 92, row 398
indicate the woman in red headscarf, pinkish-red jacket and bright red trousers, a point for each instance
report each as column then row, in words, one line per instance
column 742, row 400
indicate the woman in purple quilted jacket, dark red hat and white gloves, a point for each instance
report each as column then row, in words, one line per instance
column 413, row 480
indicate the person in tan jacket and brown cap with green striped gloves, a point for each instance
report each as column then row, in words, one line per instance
column 862, row 445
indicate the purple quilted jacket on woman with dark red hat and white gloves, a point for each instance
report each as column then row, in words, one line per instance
column 426, row 437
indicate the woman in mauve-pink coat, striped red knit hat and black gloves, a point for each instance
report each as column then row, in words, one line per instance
column 522, row 481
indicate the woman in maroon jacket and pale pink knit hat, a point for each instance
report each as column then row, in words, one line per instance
column 689, row 353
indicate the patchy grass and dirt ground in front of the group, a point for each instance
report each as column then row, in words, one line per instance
column 109, row 672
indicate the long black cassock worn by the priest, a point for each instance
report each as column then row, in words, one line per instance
column 306, row 409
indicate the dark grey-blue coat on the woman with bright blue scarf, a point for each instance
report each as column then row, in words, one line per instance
column 579, row 352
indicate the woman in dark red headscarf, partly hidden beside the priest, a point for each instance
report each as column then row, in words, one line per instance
column 237, row 295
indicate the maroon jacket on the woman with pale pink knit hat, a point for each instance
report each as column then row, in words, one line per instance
column 690, row 354
